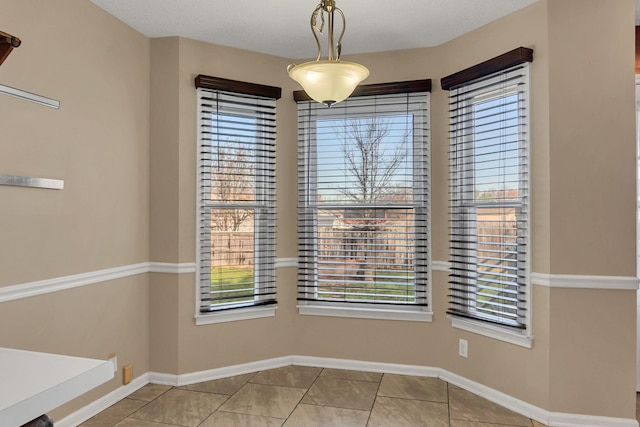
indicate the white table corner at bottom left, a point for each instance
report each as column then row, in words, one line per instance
column 32, row 384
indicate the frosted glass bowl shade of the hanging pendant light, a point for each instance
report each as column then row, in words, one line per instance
column 329, row 81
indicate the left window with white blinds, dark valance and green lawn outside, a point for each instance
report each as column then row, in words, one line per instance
column 236, row 197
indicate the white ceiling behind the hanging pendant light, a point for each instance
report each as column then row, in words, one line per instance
column 281, row 27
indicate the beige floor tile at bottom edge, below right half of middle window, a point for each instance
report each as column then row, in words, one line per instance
column 389, row 411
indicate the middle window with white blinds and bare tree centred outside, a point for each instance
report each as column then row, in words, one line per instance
column 363, row 209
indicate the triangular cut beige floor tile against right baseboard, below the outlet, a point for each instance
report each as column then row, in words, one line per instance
column 464, row 405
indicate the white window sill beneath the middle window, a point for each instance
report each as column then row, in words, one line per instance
column 366, row 313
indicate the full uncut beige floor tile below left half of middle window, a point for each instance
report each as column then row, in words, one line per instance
column 339, row 393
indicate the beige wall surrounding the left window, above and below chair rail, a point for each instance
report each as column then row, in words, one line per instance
column 205, row 347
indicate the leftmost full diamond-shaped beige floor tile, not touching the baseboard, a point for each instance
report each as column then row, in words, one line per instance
column 181, row 407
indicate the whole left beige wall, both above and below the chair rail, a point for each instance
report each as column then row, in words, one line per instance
column 98, row 143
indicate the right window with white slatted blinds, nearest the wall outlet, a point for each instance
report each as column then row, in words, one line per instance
column 489, row 188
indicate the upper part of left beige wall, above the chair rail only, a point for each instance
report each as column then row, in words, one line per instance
column 97, row 142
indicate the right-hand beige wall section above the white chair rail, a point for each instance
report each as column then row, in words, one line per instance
column 591, row 110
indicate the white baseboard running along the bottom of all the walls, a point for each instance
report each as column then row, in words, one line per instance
column 552, row 419
